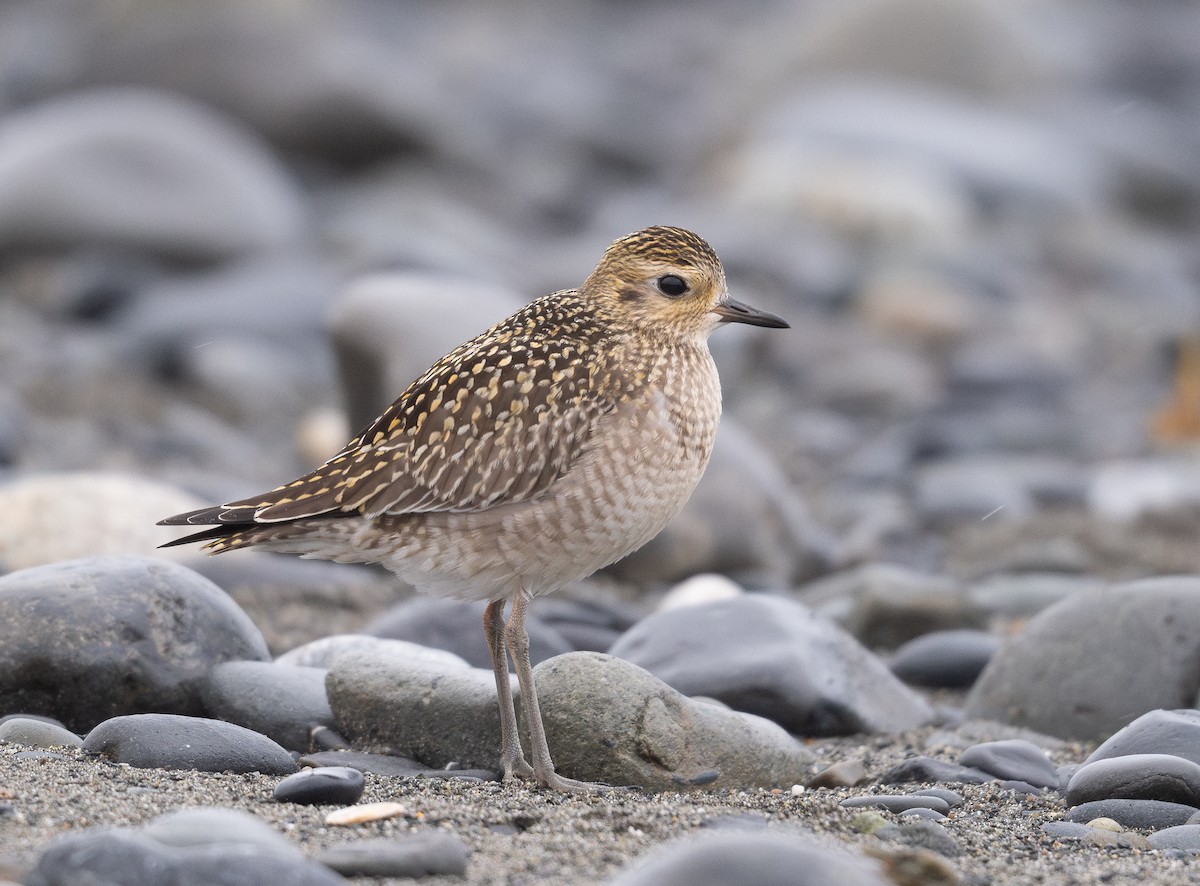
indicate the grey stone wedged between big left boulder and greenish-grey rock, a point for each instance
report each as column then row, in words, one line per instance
column 283, row 703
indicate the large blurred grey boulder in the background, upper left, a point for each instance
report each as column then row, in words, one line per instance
column 74, row 170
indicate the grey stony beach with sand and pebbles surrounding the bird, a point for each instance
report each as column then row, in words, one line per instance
column 956, row 505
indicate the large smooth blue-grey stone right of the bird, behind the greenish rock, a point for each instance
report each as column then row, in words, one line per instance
column 772, row 657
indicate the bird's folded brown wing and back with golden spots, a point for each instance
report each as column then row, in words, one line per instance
column 495, row 422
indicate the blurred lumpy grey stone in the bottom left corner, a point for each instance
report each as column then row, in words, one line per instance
column 121, row 858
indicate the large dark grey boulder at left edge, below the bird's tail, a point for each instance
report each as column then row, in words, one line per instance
column 91, row 639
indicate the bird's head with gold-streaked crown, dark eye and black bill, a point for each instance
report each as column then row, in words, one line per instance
column 669, row 279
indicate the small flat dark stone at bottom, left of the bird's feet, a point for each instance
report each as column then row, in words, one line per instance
column 424, row 854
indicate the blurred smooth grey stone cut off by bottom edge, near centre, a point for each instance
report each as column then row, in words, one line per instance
column 749, row 859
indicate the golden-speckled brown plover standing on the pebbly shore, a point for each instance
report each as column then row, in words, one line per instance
column 549, row 447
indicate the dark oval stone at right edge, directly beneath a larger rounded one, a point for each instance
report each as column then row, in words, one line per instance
column 1137, row 777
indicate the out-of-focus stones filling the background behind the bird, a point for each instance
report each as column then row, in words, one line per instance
column 231, row 232
